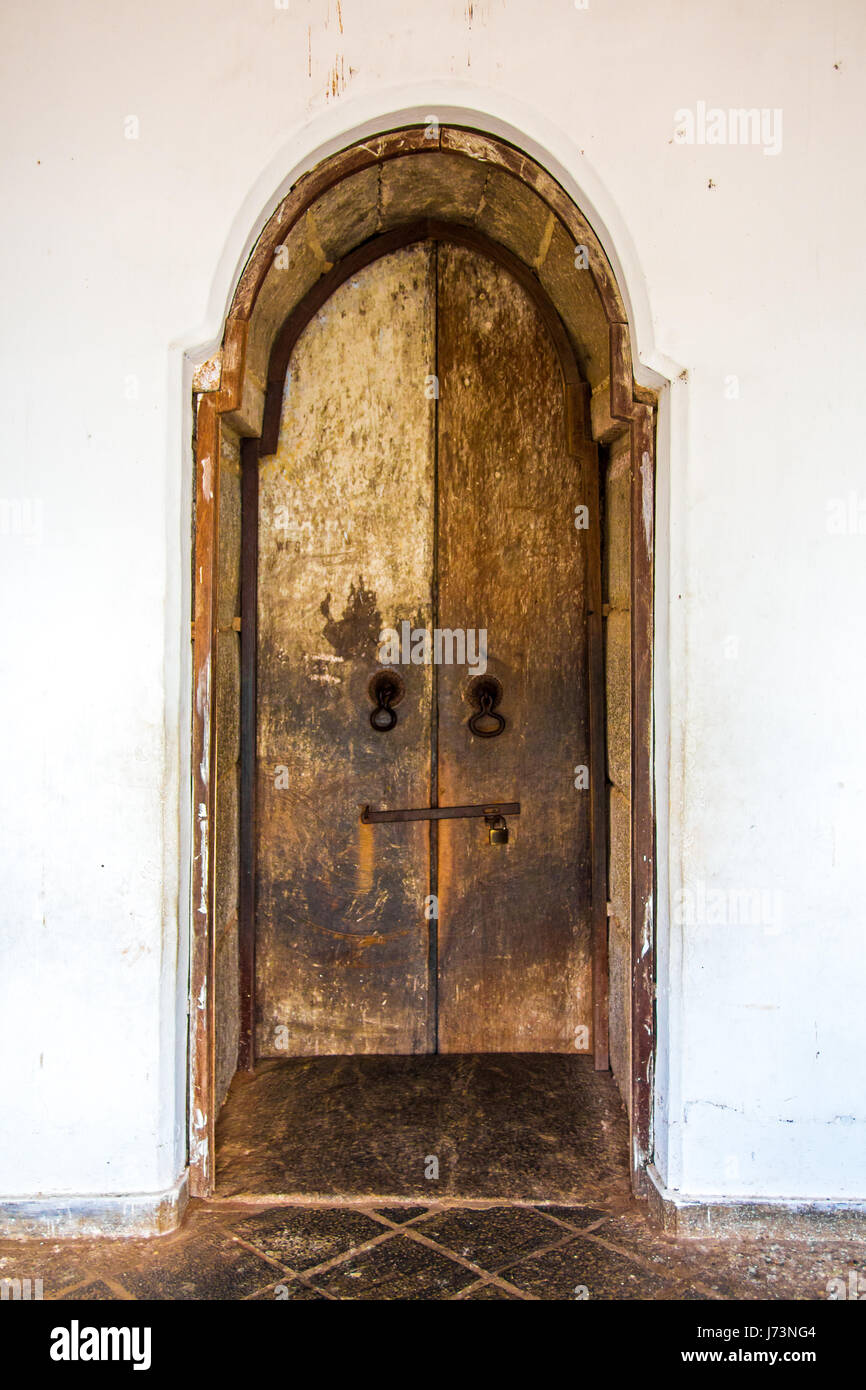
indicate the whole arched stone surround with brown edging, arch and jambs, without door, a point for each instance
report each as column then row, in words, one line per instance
column 379, row 188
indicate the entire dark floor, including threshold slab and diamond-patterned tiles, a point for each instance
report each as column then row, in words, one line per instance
column 532, row 1199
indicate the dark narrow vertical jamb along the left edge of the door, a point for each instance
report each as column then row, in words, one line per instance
column 247, row 907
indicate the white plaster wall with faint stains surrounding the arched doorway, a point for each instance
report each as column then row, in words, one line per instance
column 120, row 256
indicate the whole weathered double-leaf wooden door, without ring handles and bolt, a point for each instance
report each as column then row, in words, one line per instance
column 422, row 483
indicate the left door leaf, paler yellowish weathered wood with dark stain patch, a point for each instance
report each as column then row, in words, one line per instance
column 345, row 550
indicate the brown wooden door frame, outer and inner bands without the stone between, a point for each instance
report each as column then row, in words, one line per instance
column 623, row 407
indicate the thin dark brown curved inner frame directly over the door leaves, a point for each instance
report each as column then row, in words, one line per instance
column 384, row 244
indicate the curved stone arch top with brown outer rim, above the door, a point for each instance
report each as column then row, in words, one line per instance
column 455, row 177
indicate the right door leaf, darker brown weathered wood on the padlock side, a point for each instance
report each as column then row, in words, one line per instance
column 515, row 922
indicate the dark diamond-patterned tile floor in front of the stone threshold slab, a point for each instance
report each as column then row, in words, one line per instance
column 425, row 1252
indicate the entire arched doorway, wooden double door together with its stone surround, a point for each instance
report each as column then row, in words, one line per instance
column 490, row 968
